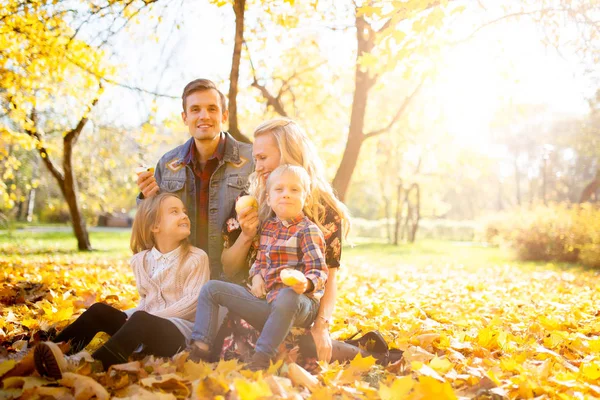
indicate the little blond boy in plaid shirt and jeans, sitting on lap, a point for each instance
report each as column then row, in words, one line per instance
column 288, row 240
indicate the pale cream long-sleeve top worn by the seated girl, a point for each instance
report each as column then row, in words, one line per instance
column 169, row 289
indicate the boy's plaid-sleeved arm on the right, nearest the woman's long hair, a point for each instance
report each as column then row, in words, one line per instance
column 312, row 245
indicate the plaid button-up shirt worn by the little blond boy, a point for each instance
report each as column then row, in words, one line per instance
column 294, row 243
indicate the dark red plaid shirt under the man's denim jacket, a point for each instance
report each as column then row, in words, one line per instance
column 202, row 188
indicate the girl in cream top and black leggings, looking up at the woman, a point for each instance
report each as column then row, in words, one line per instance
column 169, row 274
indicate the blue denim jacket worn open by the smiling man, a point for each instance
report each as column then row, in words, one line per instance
column 227, row 182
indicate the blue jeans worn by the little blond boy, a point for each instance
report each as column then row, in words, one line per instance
column 273, row 320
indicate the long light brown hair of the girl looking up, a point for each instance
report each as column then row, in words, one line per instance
column 146, row 218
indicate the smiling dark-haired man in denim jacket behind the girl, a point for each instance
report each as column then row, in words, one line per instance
column 208, row 172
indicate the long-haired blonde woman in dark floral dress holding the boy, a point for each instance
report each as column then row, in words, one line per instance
column 282, row 141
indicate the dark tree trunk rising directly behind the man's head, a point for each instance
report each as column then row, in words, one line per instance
column 239, row 9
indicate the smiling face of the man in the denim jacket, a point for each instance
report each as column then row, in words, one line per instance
column 203, row 115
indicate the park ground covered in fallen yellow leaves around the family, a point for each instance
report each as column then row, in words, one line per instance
column 471, row 326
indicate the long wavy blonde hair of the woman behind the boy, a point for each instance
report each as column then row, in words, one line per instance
column 297, row 149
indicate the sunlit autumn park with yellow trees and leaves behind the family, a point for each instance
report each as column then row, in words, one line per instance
column 464, row 136
